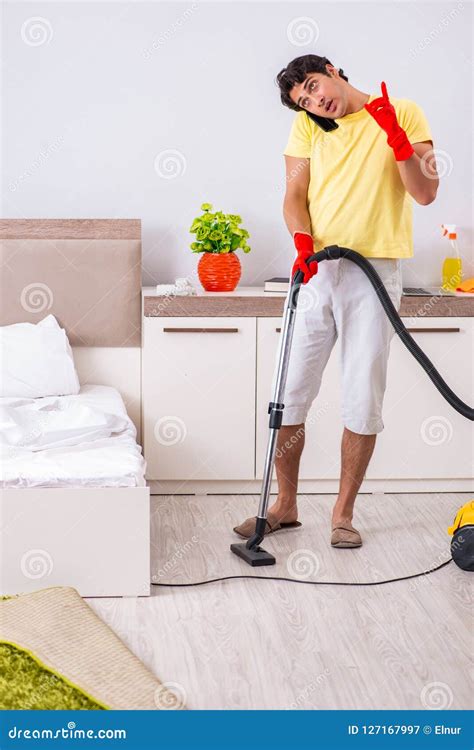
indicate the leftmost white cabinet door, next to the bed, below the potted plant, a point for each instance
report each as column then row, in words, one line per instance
column 199, row 397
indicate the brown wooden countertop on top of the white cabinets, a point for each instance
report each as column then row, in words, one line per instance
column 253, row 302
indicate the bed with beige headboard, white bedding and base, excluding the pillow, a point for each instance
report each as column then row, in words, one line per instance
column 74, row 505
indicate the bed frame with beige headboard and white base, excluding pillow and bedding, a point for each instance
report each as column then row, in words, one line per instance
column 94, row 539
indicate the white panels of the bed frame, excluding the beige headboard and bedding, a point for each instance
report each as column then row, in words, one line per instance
column 94, row 539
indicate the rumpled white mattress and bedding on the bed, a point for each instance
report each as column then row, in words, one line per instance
column 86, row 440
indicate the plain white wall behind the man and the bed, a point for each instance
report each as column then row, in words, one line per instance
column 113, row 85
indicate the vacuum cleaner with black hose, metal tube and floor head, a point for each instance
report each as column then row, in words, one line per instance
column 251, row 551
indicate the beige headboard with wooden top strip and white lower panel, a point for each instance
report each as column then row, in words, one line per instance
column 87, row 273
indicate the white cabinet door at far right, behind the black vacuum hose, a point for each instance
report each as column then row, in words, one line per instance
column 424, row 437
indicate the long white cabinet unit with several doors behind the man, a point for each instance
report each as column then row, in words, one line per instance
column 207, row 382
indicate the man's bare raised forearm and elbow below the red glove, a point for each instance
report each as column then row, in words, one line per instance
column 419, row 173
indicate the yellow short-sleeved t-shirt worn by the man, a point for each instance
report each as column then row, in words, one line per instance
column 356, row 197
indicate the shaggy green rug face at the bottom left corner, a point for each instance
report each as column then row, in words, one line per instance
column 25, row 683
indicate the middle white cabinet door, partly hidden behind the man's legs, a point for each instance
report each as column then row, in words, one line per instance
column 323, row 426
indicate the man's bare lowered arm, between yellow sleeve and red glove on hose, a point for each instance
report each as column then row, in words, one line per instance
column 295, row 204
